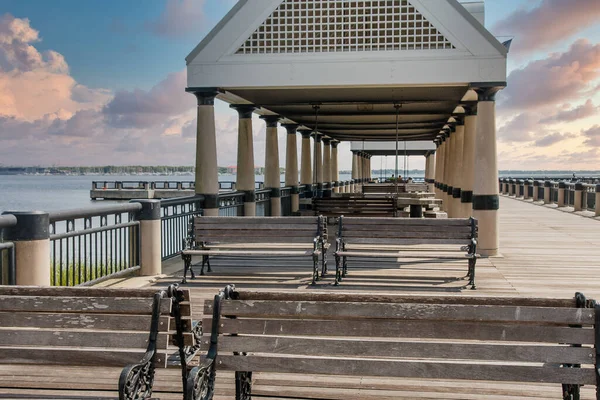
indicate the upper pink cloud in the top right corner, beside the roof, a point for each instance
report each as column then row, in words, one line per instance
column 550, row 22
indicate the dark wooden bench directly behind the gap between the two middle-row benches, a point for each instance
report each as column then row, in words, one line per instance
column 363, row 206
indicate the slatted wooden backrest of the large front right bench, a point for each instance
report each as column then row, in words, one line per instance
column 478, row 338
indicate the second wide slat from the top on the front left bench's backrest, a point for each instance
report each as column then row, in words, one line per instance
column 80, row 321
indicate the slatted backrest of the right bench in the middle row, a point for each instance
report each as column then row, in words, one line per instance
column 407, row 231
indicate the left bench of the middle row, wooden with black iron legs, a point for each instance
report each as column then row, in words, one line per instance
column 256, row 236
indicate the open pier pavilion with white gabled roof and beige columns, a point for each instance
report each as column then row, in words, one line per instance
column 419, row 70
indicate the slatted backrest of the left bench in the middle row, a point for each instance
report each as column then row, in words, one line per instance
column 215, row 230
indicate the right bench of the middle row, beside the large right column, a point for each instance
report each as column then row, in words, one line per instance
column 402, row 237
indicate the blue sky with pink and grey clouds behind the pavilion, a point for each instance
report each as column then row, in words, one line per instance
column 100, row 82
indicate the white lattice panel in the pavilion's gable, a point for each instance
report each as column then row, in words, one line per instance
column 330, row 26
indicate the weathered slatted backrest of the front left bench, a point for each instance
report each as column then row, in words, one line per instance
column 85, row 326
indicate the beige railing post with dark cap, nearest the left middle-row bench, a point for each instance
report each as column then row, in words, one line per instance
column 150, row 237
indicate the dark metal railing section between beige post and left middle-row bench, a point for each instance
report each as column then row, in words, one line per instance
column 175, row 217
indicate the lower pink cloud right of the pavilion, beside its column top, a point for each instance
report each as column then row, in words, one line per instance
column 558, row 78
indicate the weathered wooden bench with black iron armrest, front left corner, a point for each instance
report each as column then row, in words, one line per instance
column 44, row 332
